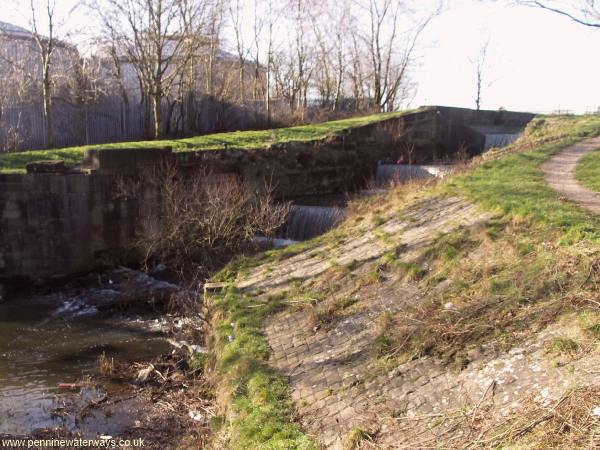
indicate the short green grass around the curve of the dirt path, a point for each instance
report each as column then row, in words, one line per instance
column 514, row 185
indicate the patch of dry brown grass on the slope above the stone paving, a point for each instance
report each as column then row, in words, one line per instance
column 499, row 290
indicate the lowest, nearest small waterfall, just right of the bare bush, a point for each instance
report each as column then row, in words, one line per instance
column 306, row 222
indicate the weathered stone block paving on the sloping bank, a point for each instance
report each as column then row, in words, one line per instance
column 336, row 381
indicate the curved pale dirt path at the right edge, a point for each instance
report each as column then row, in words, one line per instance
column 560, row 175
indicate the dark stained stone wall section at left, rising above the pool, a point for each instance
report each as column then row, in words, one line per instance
column 54, row 225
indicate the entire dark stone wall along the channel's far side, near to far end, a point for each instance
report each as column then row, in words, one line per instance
column 57, row 224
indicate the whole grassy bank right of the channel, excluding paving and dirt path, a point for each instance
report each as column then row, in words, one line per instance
column 532, row 265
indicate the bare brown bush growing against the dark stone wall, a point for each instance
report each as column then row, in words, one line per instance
column 203, row 219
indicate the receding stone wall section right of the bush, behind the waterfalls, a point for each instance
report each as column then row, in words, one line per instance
column 345, row 162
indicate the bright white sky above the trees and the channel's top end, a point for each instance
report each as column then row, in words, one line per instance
column 537, row 61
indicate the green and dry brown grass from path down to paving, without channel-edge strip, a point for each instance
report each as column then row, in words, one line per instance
column 530, row 264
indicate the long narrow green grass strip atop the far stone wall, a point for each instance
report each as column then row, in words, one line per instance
column 15, row 162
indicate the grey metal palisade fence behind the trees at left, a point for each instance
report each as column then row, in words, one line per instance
column 23, row 127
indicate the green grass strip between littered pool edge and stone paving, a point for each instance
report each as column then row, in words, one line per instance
column 259, row 406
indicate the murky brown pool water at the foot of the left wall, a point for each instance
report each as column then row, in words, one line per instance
column 58, row 338
